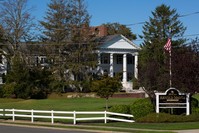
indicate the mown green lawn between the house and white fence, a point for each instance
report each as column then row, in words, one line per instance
column 63, row 104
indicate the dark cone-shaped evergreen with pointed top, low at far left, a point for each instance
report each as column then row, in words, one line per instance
column 17, row 79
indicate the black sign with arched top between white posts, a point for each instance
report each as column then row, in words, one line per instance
column 172, row 98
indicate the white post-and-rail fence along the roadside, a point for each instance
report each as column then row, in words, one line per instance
column 70, row 115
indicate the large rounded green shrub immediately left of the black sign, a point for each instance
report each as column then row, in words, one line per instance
column 141, row 107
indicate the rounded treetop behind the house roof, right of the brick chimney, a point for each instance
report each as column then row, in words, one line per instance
column 116, row 28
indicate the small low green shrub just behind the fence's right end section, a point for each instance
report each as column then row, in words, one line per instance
column 125, row 109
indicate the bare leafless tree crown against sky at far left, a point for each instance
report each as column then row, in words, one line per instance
column 16, row 20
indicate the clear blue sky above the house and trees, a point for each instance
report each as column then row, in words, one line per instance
column 130, row 12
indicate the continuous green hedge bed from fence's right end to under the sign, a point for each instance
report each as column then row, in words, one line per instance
column 143, row 111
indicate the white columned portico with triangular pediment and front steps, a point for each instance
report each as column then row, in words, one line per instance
column 117, row 54
